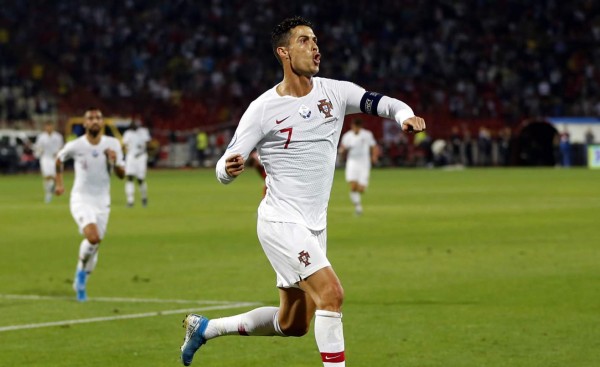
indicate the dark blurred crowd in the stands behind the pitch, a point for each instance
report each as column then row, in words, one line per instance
column 205, row 61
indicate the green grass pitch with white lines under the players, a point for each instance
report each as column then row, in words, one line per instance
column 481, row 268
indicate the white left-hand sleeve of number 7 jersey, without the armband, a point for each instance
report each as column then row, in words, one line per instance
column 246, row 137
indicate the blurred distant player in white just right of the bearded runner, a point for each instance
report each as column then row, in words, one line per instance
column 135, row 141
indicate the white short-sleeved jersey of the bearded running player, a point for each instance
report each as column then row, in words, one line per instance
column 92, row 176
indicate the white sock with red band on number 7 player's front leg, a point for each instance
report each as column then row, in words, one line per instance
column 329, row 334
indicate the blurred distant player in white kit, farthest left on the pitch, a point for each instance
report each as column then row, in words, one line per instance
column 47, row 145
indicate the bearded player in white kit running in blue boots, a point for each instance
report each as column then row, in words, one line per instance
column 96, row 157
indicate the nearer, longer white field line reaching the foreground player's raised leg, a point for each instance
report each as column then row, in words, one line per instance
column 124, row 317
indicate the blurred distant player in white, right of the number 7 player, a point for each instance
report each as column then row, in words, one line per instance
column 360, row 149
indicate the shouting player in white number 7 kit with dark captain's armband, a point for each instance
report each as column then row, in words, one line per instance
column 295, row 127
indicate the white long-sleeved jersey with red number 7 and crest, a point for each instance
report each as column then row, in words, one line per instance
column 296, row 140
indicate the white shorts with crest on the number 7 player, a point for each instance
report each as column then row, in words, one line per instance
column 295, row 252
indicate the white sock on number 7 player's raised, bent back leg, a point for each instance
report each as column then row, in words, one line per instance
column 262, row 321
